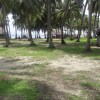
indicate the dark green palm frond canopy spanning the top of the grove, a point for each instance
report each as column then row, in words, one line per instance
column 33, row 14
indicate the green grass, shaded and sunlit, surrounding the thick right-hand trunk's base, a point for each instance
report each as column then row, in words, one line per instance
column 73, row 47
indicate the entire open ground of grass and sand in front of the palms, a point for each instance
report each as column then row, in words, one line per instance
column 40, row 73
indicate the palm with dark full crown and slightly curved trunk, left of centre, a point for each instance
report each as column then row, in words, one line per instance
column 25, row 10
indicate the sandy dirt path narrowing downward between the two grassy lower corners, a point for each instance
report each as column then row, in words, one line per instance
column 64, row 74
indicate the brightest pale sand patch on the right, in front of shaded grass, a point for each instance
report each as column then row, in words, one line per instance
column 75, row 63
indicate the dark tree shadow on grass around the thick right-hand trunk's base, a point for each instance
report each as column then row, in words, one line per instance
column 79, row 49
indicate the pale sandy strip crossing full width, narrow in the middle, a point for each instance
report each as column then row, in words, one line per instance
column 70, row 64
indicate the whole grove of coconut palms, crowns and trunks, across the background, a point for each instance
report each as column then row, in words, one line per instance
column 46, row 15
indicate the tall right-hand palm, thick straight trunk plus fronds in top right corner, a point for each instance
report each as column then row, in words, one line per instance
column 93, row 7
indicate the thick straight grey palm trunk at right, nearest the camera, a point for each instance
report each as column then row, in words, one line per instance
column 88, row 45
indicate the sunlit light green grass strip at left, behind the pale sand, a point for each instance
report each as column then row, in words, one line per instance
column 38, row 51
